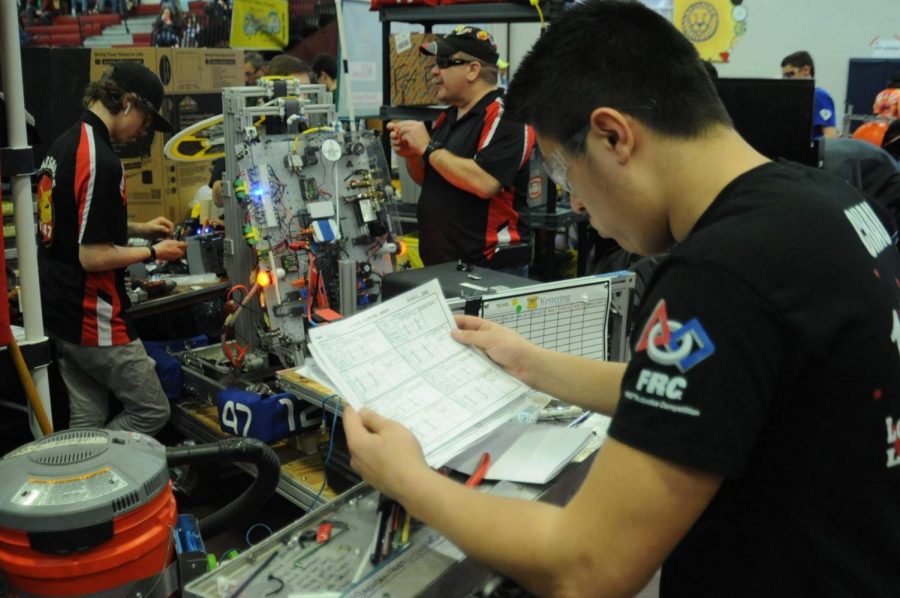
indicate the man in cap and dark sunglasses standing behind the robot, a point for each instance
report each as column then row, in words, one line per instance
column 474, row 167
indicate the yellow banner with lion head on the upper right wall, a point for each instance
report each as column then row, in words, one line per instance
column 713, row 26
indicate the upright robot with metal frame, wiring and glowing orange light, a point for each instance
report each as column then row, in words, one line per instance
column 309, row 217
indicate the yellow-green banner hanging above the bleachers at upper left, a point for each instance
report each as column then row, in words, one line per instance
column 259, row 24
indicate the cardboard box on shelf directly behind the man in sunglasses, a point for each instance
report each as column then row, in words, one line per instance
column 410, row 71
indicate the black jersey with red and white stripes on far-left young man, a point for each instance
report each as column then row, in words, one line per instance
column 82, row 200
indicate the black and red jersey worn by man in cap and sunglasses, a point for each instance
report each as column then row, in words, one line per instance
column 455, row 224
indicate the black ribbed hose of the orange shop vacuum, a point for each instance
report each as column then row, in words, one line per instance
column 245, row 450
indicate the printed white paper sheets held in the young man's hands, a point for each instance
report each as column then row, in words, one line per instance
column 398, row 359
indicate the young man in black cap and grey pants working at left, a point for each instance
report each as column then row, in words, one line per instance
column 84, row 230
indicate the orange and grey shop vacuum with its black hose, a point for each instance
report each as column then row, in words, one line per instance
column 92, row 512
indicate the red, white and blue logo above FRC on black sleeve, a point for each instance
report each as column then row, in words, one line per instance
column 669, row 342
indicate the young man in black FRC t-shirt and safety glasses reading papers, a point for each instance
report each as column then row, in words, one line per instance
column 755, row 443
